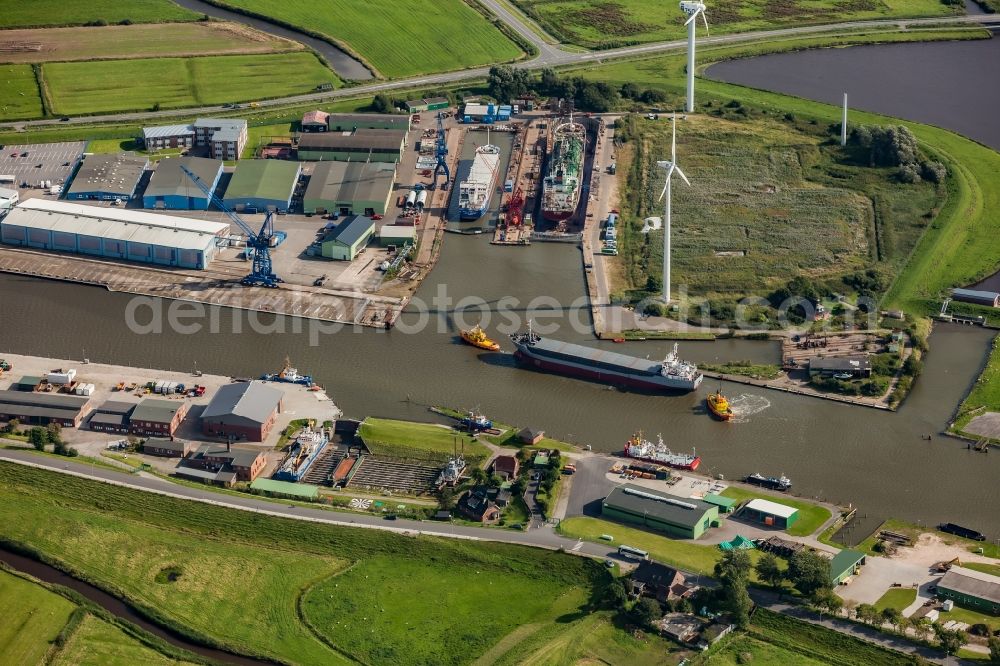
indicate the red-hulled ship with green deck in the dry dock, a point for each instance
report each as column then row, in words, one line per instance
column 561, row 187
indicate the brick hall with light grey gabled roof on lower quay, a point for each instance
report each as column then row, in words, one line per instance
column 246, row 410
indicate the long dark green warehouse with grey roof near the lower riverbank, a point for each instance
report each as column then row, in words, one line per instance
column 681, row 518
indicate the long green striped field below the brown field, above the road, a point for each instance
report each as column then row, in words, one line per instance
column 78, row 88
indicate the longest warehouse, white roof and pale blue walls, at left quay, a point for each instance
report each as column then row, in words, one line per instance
column 113, row 233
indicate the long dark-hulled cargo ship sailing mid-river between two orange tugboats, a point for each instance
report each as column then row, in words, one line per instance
column 670, row 374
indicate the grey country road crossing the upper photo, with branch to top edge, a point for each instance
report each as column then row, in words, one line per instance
column 549, row 56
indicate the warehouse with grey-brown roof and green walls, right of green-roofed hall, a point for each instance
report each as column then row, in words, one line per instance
column 348, row 188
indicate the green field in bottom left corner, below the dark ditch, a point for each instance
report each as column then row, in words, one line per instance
column 32, row 618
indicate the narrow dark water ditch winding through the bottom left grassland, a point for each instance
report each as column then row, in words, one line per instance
column 50, row 574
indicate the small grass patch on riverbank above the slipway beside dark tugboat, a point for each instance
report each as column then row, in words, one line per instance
column 419, row 441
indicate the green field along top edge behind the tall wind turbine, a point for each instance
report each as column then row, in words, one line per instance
column 600, row 24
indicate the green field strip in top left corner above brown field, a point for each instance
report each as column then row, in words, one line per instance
column 40, row 13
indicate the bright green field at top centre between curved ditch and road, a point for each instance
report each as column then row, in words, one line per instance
column 397, row 39
